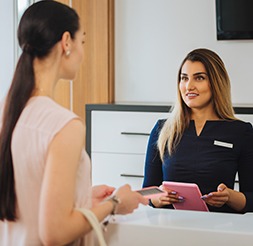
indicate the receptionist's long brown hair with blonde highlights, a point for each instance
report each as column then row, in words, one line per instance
column 174, row 127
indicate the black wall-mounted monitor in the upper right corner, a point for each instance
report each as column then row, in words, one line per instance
column 234, row 19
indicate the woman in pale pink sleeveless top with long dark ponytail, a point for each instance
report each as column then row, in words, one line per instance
column 44, row 169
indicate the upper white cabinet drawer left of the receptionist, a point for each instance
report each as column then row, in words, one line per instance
column 122, row 132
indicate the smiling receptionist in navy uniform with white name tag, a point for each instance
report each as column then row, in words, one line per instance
column 202, row 141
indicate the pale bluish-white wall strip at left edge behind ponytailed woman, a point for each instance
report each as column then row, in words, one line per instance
column 6, row 45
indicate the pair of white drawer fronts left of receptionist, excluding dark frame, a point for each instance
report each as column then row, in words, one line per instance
column 118, row 146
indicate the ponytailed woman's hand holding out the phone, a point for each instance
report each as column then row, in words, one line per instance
column 129, row 200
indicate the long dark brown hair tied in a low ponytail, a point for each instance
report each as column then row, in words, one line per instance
column 41, row 27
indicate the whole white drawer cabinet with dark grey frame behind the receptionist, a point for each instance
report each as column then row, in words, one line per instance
column 117, row 138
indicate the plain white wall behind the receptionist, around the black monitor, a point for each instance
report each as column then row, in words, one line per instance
column 152, row 38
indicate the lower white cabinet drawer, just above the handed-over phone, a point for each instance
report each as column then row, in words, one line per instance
column 118, row 169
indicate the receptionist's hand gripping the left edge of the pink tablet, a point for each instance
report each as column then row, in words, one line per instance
column 172, row 197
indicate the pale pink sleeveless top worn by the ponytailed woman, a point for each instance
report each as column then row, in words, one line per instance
column 39, row 122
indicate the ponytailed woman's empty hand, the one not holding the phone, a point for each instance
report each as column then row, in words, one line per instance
column 100, row 192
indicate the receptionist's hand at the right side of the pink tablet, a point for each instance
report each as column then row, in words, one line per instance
column 218, row 198
